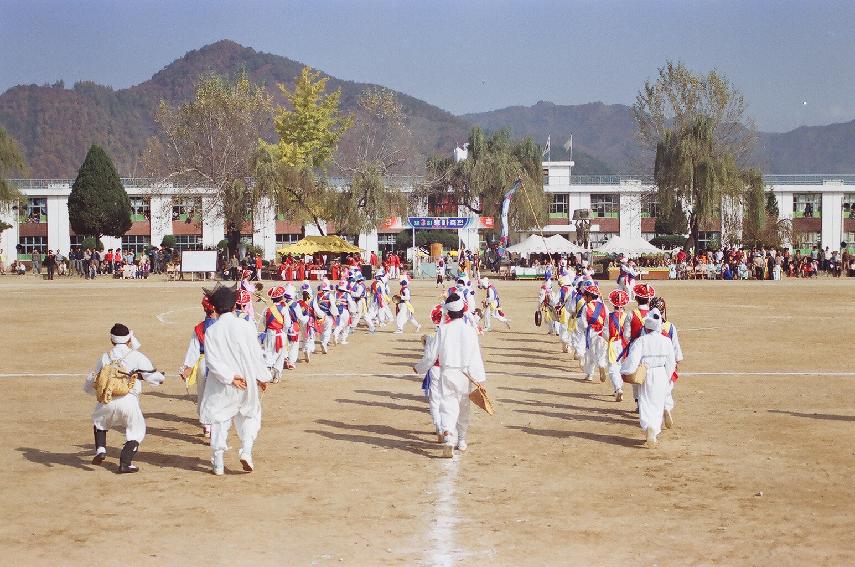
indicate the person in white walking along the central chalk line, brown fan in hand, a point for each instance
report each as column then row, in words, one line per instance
column 457, row 349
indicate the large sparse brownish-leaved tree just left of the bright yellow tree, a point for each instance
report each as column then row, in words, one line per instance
column 210, row 143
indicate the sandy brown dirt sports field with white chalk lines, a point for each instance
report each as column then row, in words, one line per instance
column 758, row 470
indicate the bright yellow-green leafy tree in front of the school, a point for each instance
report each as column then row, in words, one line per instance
column 293, row 169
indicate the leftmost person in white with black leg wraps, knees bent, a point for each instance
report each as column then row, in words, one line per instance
column 123, row 411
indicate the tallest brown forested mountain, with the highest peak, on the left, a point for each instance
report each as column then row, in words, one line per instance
column 56, row 126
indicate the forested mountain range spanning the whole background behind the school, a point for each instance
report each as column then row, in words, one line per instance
column 56, row 125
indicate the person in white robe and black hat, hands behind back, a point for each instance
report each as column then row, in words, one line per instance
column 237, row 373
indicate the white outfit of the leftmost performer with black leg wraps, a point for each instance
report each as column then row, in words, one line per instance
column 123, row 411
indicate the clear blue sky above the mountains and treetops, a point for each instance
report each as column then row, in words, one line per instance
column 465, row 56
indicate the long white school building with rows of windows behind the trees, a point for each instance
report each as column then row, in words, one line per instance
column 822, row 209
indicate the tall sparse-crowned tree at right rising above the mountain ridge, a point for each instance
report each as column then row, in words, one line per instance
column 701, row 137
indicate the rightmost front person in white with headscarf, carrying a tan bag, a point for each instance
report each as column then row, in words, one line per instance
column 657, row 353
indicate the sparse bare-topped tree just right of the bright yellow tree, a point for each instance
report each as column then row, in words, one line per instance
column 371, row 153
